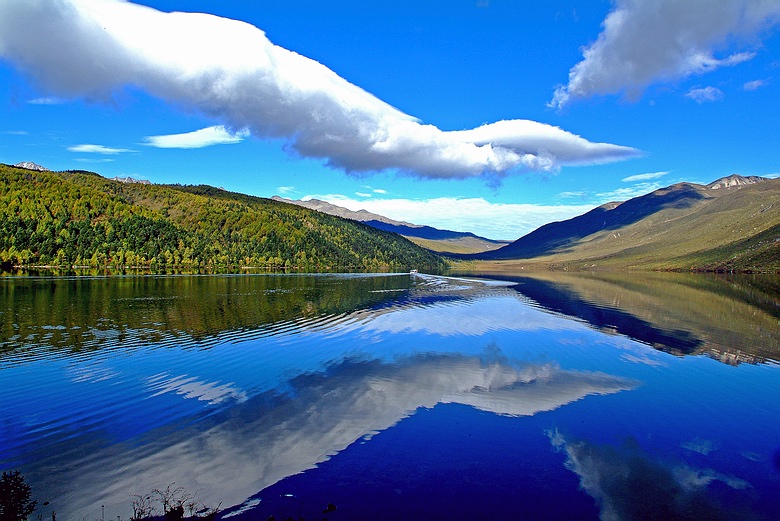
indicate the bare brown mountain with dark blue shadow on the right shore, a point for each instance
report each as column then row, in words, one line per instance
column 730, row 224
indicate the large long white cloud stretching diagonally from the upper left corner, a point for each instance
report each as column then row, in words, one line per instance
column 231, row 72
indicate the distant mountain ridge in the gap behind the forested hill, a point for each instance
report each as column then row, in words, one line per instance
column 442, row 241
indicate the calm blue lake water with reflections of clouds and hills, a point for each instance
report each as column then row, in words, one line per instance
column 395, row 396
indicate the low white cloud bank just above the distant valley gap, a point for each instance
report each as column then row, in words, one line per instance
column 499, row 221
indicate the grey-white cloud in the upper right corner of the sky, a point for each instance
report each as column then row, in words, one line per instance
column 642, row 43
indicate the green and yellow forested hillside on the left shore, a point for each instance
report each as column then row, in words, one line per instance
column 81, row 219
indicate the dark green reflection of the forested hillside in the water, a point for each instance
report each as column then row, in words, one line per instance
column 90, row 313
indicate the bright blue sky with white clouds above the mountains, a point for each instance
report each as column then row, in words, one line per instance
column 487, row 116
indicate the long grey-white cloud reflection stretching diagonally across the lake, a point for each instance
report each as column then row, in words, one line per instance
column 239, row 451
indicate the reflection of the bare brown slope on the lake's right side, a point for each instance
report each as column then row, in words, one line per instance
column 733, row 319
